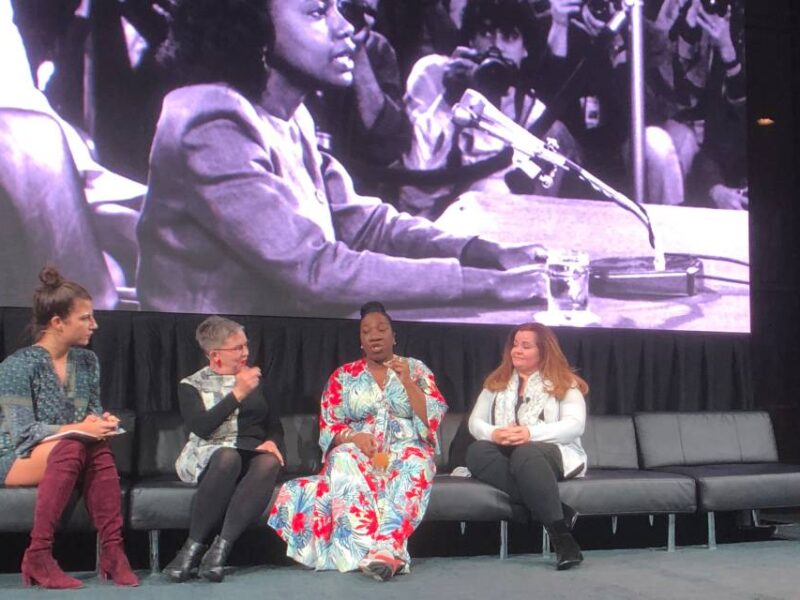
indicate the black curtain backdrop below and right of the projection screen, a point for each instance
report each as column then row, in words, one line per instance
column 144, row 355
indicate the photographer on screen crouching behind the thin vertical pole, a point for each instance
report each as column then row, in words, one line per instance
column 586, row 81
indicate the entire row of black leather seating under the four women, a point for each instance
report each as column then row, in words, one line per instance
column 653, row 463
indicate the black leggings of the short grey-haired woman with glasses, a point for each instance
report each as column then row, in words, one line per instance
column 235, row 489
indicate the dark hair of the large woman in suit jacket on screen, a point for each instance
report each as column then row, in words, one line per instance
column 219, row 41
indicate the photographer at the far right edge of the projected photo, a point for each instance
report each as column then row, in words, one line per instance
column 706, row 81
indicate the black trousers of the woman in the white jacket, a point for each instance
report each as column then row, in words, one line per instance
column 529, row 473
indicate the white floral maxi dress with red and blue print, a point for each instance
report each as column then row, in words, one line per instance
column 331, row 520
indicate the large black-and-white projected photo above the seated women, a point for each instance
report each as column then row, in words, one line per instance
column 575, row 162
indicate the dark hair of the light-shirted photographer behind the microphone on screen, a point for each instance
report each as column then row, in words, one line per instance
column 505, row 15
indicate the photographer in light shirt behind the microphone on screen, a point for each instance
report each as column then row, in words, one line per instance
column 496, row 61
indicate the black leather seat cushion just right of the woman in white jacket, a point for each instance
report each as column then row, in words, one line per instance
column 629, row 491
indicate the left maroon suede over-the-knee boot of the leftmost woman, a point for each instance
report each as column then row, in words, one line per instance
column 64, row 466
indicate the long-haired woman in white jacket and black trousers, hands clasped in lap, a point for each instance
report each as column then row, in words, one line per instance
column 527, row 423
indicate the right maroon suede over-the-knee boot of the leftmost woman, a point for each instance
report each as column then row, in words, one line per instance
column 101, row 493
